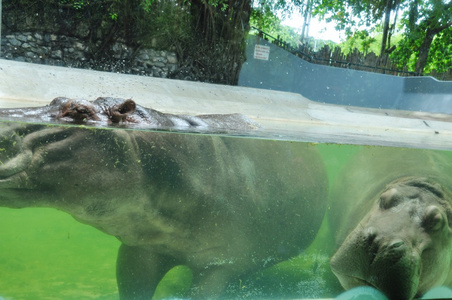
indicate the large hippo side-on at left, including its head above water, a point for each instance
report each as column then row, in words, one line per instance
column 223, row 206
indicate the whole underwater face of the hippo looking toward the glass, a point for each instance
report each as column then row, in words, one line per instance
column 403, row 245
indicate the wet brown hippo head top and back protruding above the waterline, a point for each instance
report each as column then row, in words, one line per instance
column 106, row 111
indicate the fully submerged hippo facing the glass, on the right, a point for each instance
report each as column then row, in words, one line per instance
column 391, row 216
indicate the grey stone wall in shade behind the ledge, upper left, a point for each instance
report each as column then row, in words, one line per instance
column 61, row 50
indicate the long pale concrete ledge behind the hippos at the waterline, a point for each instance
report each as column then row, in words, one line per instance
column 282, row 115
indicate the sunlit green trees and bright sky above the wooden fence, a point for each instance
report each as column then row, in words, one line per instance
column 423, row 25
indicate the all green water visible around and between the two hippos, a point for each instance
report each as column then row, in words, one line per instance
column 46, row 254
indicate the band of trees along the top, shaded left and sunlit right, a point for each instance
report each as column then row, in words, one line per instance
column 202, row 31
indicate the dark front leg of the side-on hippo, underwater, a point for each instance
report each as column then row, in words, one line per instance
column 138, row 272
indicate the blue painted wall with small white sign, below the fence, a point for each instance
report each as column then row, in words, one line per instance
column 271, row 67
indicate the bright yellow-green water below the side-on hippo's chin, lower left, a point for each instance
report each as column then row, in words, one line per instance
column 46, row 254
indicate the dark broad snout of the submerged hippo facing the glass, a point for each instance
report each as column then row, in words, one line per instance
column 369, row 257
